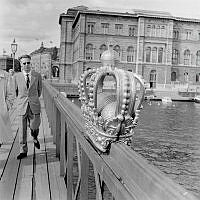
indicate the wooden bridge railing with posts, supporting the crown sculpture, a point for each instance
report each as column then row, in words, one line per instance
column 120, row 175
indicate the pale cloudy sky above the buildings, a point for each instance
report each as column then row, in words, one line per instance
column 31, row 22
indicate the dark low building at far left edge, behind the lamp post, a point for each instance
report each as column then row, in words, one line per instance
column 6, row 63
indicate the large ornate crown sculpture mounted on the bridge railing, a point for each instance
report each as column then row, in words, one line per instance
column 110, row 114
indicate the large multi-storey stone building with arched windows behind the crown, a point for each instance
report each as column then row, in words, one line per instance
column 162, row 48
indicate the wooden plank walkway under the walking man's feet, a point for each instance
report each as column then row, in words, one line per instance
column 36, row 177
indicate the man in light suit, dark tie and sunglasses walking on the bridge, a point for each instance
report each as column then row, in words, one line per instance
column 28, row 83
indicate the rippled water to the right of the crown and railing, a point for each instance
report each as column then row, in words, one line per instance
column 168, row 136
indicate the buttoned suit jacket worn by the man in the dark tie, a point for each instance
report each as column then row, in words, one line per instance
column 25, row 95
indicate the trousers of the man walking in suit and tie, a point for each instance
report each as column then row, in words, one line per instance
column 28, row 120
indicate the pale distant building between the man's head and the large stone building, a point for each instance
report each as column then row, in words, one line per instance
column 46, row 61
